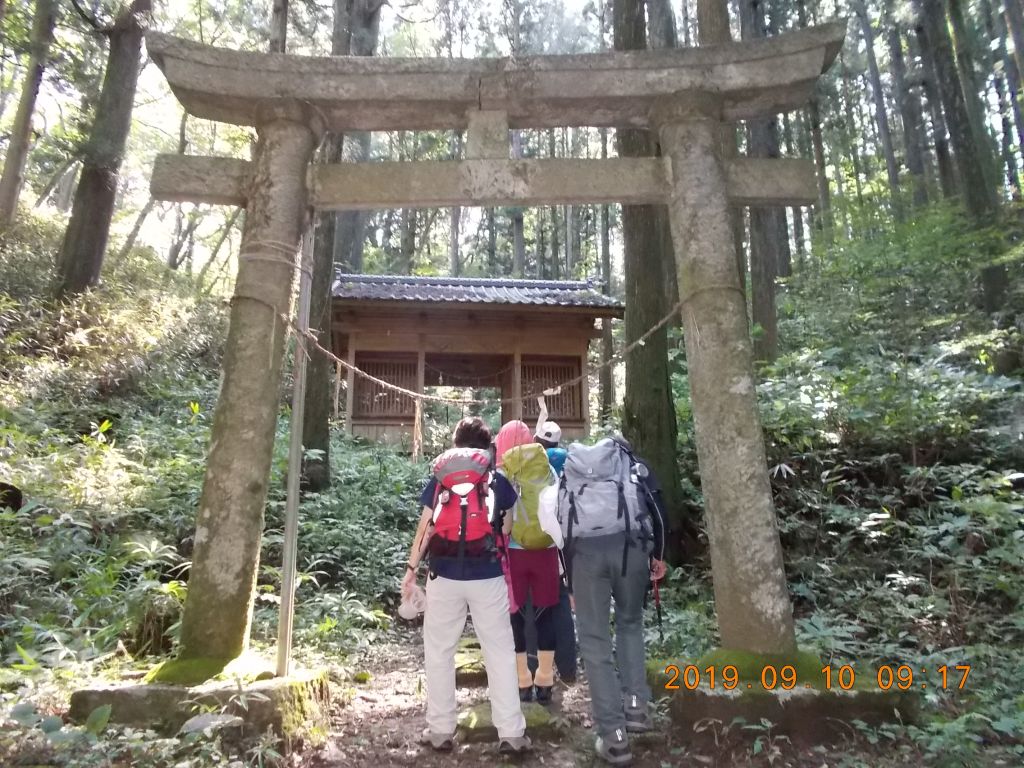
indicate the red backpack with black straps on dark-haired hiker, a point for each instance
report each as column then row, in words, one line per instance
column 461, row 513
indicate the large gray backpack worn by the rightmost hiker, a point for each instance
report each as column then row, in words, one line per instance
column 604, row 492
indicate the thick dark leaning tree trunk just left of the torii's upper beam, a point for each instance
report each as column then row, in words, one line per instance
column 86, row 240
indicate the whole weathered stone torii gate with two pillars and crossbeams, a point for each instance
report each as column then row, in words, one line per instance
column 687, row 96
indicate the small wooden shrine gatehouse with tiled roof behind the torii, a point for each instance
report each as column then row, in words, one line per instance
column 517, row 336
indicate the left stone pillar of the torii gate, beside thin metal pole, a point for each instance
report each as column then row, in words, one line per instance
column 228, row 534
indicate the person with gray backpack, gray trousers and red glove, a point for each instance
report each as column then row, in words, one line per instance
column 611, row 515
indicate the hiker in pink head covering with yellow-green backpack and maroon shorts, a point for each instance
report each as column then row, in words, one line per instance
column 533, row 556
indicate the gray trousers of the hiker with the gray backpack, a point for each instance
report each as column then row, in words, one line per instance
column 598, row 581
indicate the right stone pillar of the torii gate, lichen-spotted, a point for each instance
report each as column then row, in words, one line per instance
column 751, row 596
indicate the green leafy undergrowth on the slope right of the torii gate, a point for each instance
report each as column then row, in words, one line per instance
column 894, row 421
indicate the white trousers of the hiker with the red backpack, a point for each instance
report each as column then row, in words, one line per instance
column 444, row 621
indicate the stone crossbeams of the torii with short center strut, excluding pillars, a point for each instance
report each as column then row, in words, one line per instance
column 488, row 98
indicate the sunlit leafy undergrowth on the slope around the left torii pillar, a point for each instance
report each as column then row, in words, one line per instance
column 106, row 407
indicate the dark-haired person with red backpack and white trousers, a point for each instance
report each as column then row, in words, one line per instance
column 461, row 534
